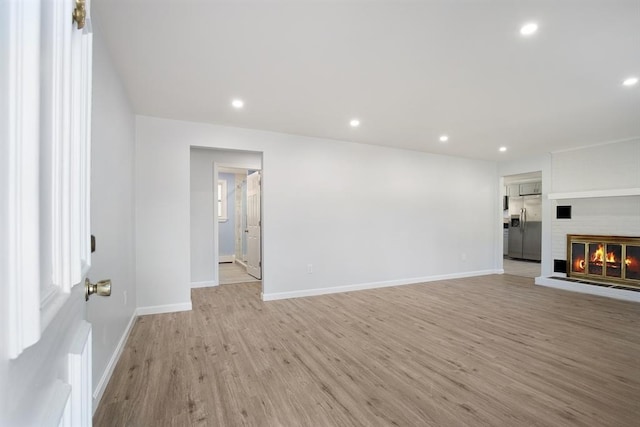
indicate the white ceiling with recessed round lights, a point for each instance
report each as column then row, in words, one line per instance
column 409, row 70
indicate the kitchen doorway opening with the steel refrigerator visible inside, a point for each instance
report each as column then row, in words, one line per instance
column 522, row 224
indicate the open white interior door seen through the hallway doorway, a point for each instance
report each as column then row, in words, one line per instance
column 254, row 223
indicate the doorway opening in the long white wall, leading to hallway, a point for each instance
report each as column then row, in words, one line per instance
column 220, row 182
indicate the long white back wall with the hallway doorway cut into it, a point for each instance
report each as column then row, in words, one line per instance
column 362, row 215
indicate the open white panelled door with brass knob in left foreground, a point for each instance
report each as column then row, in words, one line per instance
column 45, row 362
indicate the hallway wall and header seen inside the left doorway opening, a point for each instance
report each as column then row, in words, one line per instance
column 203, row 247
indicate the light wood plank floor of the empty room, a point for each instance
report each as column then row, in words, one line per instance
column 493, row 350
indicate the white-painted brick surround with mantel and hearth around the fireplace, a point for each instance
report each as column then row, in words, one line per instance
column 599, row 188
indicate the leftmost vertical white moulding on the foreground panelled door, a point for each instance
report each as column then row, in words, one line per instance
column 21, row 189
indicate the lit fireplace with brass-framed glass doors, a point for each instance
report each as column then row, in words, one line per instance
column 608, row 259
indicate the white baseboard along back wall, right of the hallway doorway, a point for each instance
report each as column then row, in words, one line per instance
column 359, row 287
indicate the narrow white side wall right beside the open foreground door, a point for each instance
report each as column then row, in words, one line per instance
column 112, row 211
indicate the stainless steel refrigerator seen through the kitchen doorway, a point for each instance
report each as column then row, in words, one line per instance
column 525, row 227
